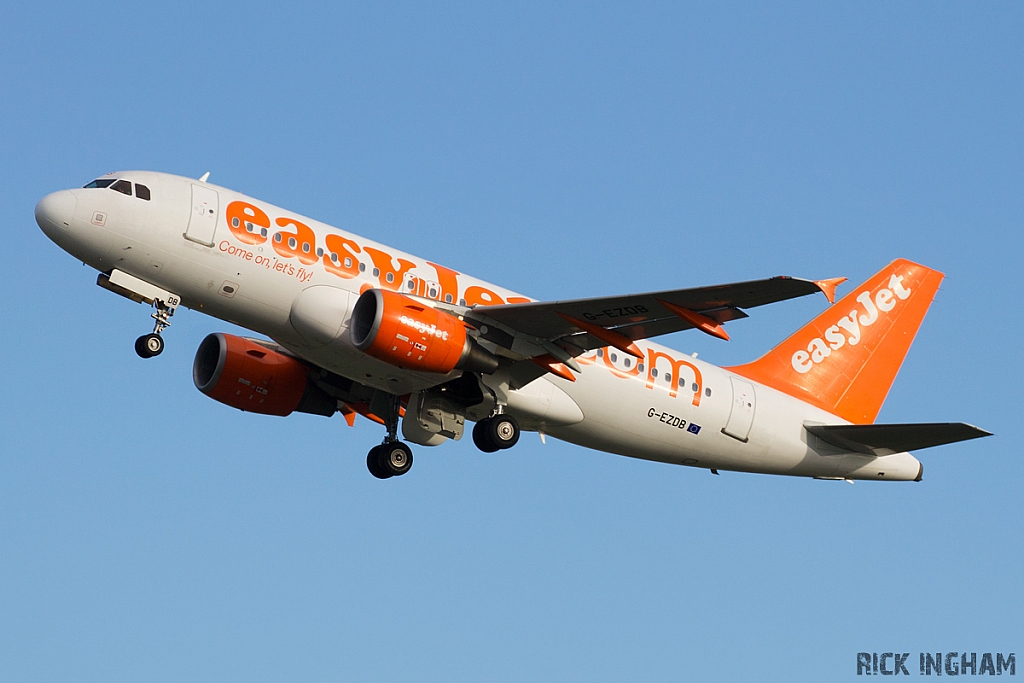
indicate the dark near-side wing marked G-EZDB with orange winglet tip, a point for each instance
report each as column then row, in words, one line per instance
column 577, row 326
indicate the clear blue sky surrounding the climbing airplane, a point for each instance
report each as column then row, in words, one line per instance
column 562, row 150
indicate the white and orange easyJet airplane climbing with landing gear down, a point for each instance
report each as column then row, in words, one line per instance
column 359, row 328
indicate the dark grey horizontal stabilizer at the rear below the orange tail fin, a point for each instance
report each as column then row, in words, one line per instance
column 887, row 440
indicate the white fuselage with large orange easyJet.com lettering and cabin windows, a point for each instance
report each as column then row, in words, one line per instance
column 669, row 408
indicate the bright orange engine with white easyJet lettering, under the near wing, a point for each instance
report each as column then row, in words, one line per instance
column 406, row 333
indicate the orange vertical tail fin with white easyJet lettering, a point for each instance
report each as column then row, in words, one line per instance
column 846, row 359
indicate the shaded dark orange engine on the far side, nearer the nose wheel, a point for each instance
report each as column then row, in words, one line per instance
column 245, row 375
